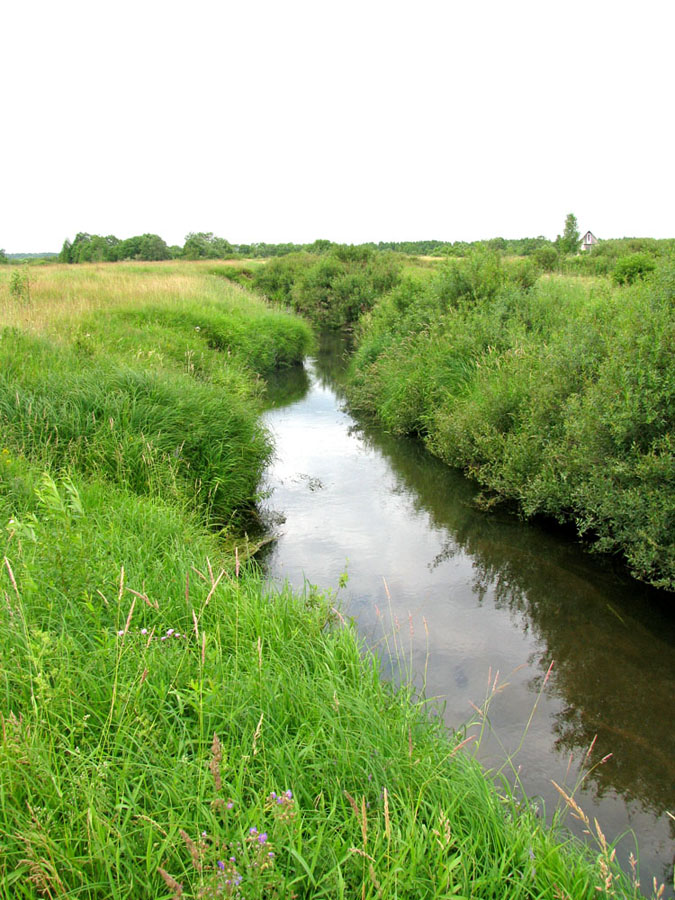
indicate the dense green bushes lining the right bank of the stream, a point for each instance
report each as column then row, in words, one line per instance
column 559, row 395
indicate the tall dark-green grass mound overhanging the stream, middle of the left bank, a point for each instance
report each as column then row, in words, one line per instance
column 162, row 434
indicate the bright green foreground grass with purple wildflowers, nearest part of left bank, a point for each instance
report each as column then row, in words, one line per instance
column 156, row 698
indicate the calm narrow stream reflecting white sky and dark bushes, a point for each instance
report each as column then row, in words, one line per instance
column 461, row 595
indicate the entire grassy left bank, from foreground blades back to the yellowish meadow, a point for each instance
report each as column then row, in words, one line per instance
column 171, row 727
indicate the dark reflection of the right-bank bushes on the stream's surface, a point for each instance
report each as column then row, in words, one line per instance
column 611, row 638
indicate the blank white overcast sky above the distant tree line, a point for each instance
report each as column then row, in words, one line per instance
column 353, row 121
